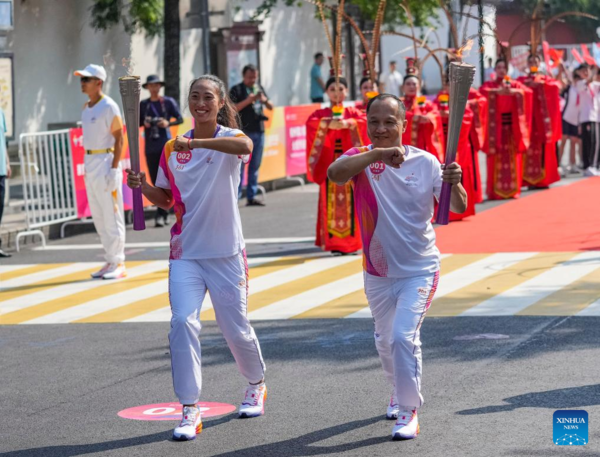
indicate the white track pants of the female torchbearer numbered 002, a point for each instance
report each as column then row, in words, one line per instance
column 226, row 280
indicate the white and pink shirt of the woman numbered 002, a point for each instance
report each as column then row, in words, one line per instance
column 204, row 183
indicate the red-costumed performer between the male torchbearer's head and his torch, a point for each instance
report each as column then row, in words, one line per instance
column 424, row 124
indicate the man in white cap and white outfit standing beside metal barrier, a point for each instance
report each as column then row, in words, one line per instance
column 103, row 144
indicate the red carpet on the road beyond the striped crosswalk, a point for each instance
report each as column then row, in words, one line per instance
column 564, row 218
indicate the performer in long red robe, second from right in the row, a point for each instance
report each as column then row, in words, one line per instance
column 509, row 117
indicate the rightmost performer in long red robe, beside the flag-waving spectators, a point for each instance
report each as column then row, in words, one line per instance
column 540, row 162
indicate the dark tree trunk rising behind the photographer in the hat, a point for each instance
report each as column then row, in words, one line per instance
column 171, row 49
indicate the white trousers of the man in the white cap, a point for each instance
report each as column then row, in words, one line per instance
column 106, row 207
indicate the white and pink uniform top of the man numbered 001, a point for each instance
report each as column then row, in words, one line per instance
column 395, row 207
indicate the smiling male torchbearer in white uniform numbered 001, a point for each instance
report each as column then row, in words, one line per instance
column 394, row 186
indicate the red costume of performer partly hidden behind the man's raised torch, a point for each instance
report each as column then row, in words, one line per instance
column 464, row 155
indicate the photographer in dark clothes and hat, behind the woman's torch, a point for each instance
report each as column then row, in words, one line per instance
column 157, row 114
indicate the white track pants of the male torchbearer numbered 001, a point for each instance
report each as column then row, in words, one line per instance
column 398, row 307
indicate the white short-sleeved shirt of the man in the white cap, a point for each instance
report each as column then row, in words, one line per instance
column 99, row 122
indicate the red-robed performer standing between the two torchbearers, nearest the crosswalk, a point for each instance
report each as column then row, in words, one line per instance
column 329, row 133
